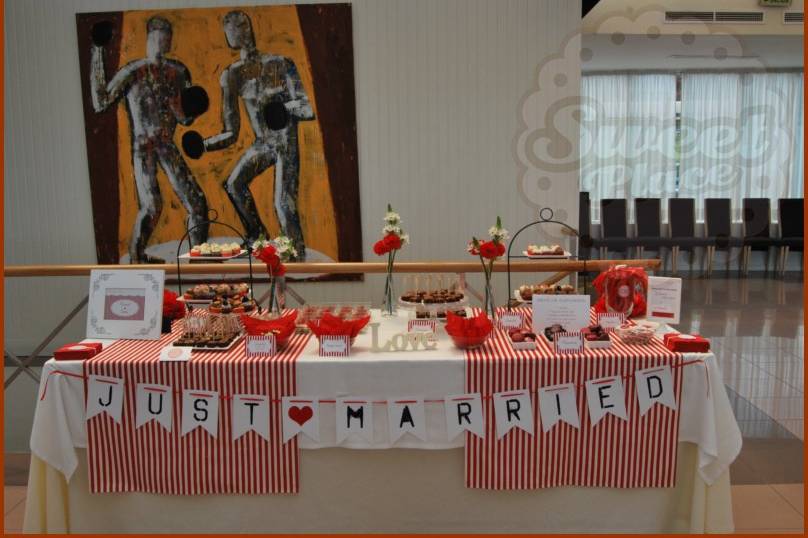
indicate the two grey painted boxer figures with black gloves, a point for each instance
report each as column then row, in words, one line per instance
column 158, row 94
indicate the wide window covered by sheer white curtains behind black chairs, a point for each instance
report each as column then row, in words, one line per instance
column 696, row 135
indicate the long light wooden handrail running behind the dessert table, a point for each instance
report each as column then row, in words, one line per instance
column 540, row 266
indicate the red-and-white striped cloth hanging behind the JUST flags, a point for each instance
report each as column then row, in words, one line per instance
column 150, row 459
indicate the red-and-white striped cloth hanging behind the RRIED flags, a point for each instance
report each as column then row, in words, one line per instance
column 637, row 453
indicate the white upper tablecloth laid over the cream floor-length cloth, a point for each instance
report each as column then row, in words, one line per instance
column 706, row 418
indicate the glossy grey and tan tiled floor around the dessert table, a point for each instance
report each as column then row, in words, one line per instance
column 756, row 329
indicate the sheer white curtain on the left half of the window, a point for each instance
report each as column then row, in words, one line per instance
column 628, row 131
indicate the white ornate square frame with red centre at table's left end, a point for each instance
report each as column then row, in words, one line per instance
column 125, row 303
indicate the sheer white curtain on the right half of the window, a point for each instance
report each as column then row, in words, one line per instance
column 741, row 137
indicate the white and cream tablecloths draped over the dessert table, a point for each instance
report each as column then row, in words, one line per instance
column 409, row 485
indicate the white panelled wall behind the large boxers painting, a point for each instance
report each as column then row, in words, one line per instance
column 439, row 88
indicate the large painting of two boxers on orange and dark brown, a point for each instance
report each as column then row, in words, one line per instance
column 244, row 114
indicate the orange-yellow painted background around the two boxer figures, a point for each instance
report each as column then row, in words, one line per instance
column 199, row 43
